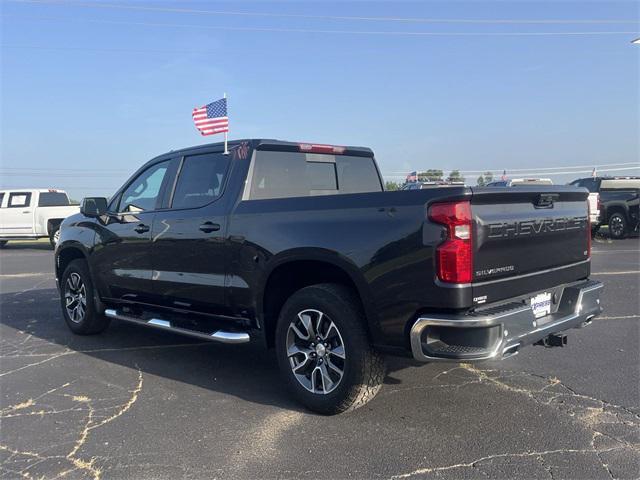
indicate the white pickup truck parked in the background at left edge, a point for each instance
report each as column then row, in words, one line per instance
column 31, row 214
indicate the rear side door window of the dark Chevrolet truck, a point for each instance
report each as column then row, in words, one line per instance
column 200, row 180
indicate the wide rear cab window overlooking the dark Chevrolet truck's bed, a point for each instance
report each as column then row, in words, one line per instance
column 276, row 174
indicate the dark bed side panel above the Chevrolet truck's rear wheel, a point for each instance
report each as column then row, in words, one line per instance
column 380, row 239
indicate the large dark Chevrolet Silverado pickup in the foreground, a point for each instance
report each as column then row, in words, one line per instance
column 298, row 247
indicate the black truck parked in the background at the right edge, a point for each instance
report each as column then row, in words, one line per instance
column 618, row 202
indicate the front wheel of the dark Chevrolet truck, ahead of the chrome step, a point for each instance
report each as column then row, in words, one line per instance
column 77, row 300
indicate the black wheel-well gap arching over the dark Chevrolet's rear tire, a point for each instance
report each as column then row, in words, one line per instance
column 296, row 270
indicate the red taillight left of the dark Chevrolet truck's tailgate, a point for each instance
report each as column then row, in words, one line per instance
column 454, row 257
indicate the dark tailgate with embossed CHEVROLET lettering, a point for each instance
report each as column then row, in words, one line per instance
column 522, row 232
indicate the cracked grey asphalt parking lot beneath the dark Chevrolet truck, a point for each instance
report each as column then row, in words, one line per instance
column 135, row 403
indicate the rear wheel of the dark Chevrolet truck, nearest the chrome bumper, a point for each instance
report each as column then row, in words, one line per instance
column 324, row 352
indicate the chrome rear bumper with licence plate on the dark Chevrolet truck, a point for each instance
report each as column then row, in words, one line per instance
column 499, row 332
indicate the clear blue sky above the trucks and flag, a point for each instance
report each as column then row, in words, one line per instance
column 98, row 91
